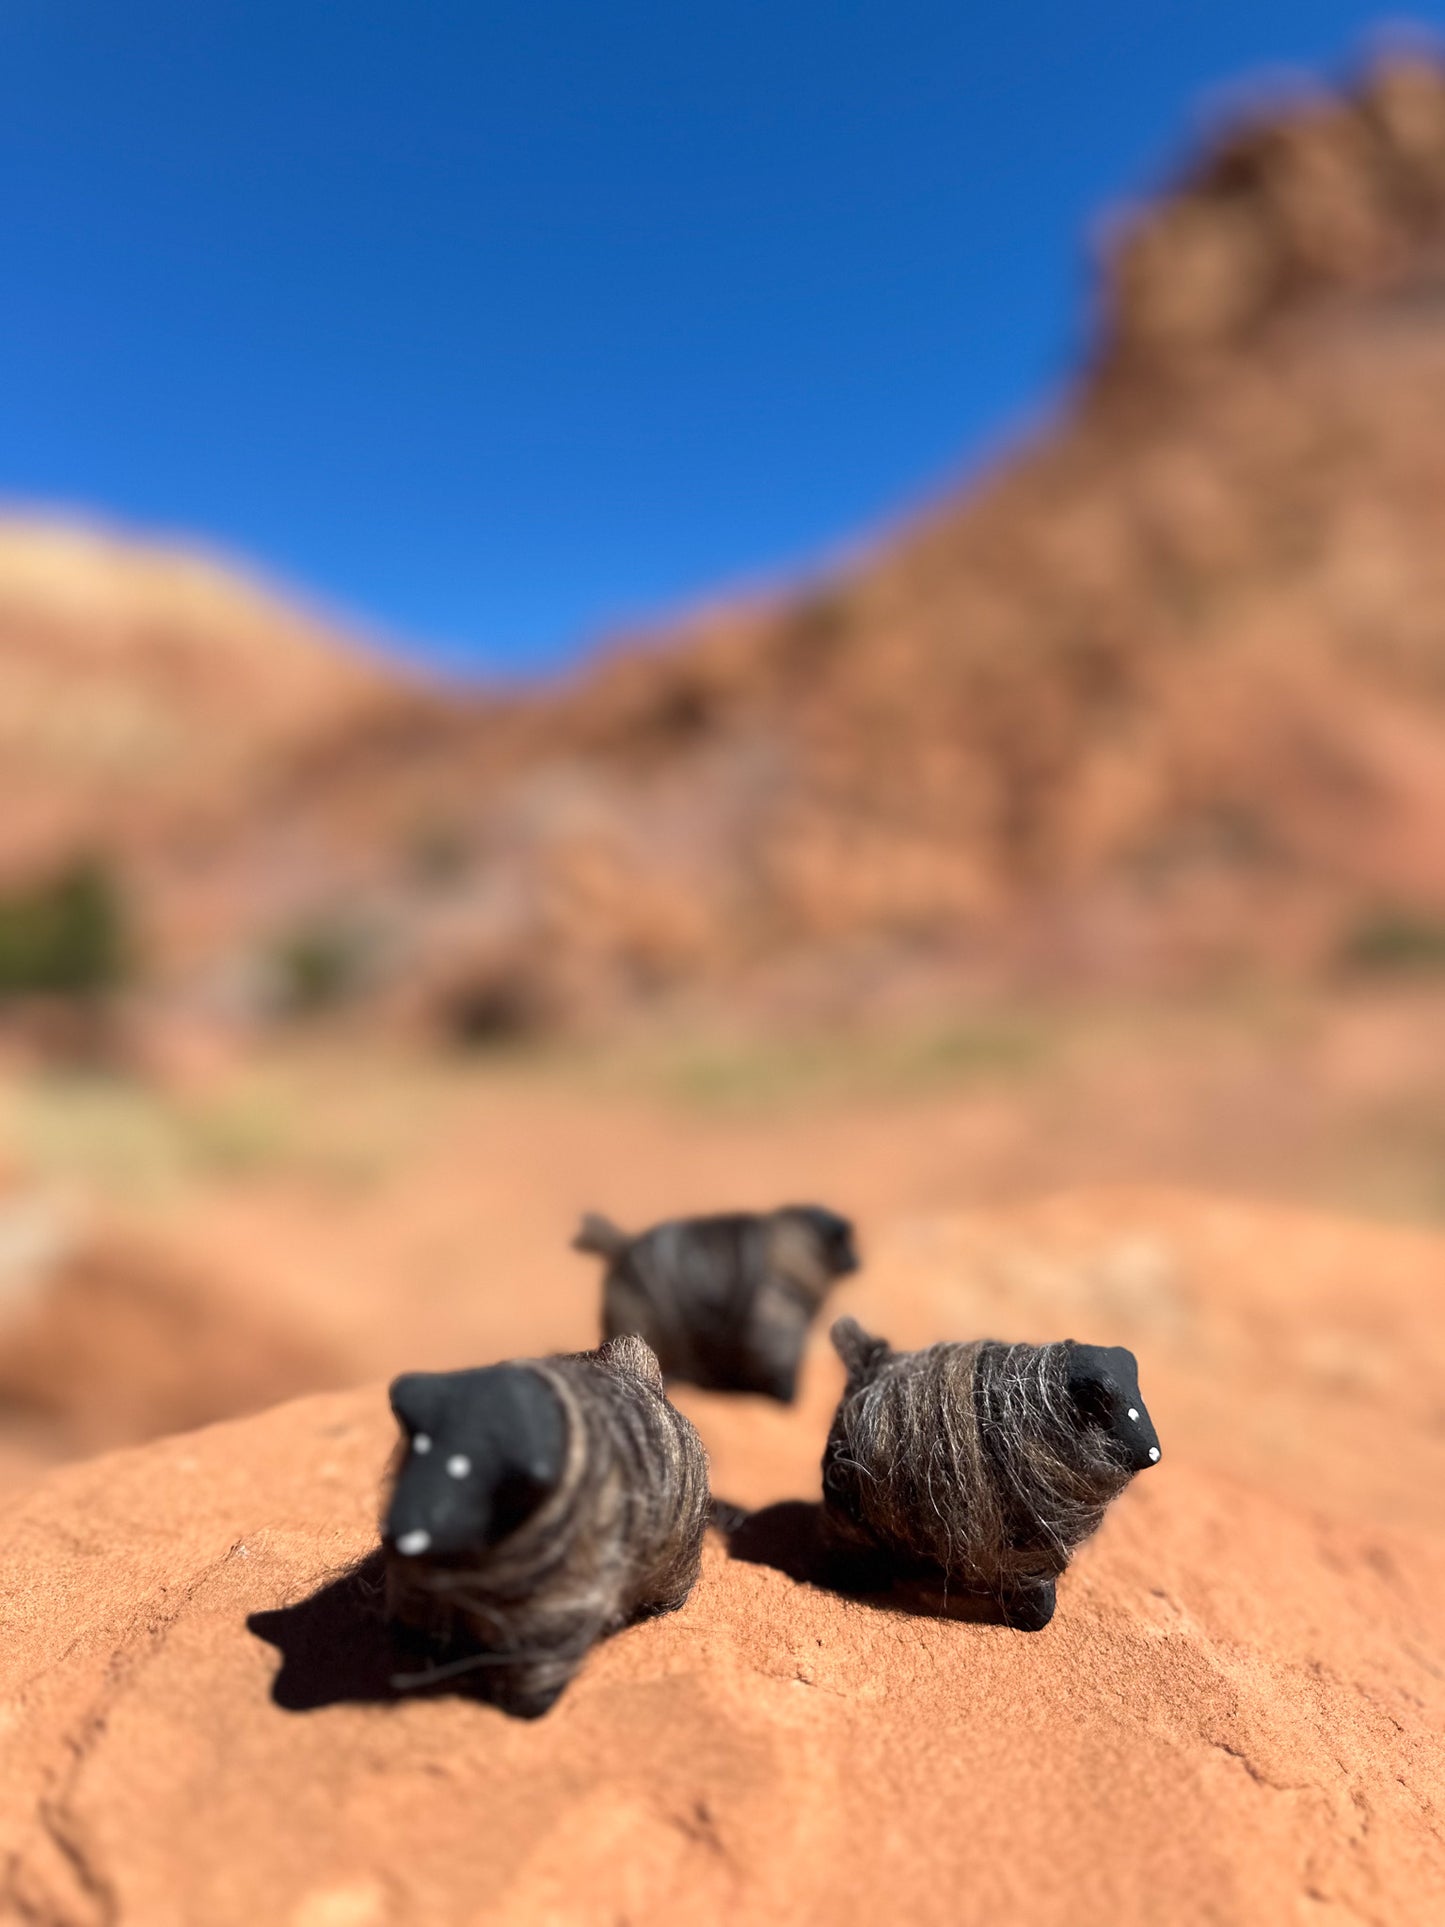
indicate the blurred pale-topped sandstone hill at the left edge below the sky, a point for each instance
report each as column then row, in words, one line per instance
column 144, row 683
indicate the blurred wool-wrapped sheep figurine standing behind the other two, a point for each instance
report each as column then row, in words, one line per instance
column 723, row 1302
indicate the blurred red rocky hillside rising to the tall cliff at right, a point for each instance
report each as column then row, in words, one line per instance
column 1163, row 695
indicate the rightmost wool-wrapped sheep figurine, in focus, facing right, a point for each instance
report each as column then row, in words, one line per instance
column 980, row 1464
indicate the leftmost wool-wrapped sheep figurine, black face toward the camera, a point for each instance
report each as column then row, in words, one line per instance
column 537, row 1508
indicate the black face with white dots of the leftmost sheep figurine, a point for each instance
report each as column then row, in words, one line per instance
column 481, row 1454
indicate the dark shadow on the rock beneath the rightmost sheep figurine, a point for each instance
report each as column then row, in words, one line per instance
column 791, row 1539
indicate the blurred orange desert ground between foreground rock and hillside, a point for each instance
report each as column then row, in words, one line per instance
column 327, row 1213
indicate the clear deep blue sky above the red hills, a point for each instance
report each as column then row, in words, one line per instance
column 504, row 325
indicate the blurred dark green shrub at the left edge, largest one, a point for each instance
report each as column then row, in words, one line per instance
column 65, row 936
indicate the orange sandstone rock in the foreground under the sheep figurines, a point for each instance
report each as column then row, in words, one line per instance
column 1238, row 1714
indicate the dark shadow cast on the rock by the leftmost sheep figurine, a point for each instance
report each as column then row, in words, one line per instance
column 338, row 1649
